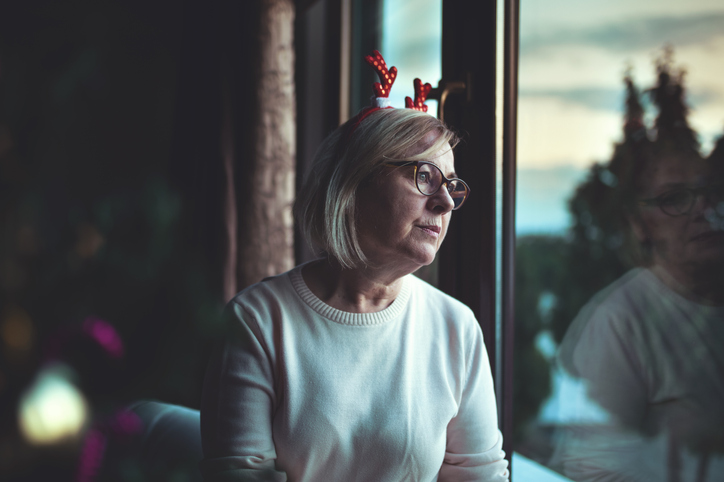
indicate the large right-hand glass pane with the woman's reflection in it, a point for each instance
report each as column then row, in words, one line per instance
column 619, row 350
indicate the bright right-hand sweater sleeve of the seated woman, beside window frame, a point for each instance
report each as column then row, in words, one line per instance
column 474, row 443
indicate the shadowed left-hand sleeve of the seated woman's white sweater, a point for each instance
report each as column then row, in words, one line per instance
column 237, row 406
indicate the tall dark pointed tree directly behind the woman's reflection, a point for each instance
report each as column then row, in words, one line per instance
column 601, row 246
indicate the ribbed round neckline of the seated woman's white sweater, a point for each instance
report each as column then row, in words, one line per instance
column 344, row 317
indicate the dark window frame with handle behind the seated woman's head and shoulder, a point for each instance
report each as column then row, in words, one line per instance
column 477, row 260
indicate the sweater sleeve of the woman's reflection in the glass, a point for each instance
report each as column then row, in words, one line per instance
column 612, row 369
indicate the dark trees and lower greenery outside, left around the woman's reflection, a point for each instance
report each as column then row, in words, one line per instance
column 599, row 247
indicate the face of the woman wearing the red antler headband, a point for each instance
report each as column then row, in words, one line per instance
column 397, row 226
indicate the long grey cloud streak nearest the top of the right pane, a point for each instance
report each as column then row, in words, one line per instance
column 635, row 34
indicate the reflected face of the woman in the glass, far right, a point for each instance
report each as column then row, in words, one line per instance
column 685, row 241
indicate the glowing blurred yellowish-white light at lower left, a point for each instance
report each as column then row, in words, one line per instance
column 52, row 409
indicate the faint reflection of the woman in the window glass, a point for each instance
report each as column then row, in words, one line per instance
column 650, row 348
